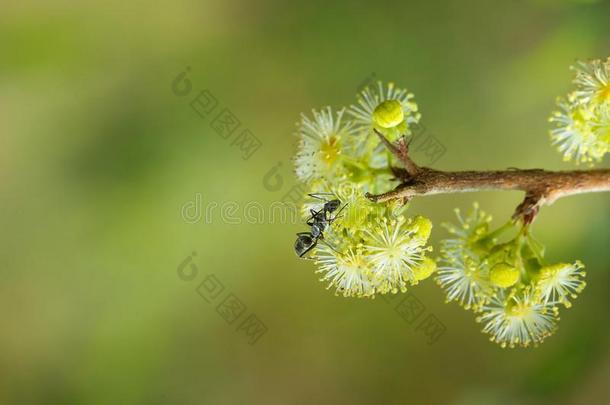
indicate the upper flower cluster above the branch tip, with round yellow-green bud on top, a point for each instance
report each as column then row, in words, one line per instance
column 342, row 147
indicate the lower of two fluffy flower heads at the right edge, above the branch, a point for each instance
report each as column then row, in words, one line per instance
column 574, row 135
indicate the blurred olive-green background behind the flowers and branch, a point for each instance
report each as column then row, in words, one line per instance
column 98, row 156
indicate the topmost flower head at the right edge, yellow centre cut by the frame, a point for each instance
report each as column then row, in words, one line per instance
column 593, row 81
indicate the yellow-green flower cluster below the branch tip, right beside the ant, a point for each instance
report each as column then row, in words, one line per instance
column 373, row 249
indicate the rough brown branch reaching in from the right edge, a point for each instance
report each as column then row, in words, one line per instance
column 541, row 187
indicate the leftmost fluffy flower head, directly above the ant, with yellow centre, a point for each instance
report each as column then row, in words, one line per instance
column 321, row 145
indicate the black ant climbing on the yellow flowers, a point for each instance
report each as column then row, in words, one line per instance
column 319, row 221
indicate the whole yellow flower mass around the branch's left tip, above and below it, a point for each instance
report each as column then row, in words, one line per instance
column 366, row 248
